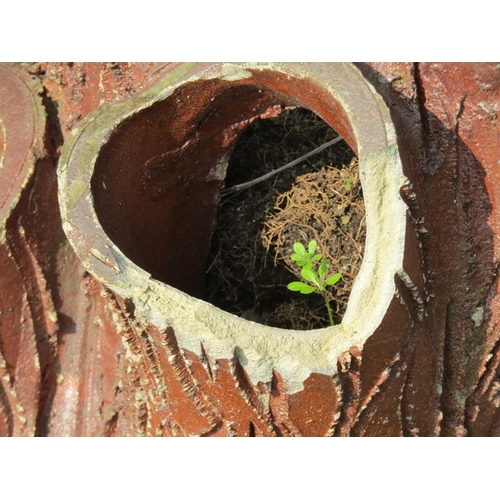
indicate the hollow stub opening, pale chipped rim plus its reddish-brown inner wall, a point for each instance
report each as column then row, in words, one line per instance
column 139, row 184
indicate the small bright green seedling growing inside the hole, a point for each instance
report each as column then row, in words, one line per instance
column 314, row 271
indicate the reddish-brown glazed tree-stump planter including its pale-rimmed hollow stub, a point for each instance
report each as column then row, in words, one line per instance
column 129, row 349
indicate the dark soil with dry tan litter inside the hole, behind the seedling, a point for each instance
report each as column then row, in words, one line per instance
column 250, row 265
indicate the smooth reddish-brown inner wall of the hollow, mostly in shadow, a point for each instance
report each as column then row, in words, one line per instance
column 156, row 183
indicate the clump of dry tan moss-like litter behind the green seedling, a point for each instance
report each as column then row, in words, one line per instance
column 326, row 206
